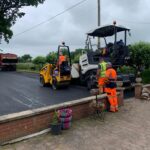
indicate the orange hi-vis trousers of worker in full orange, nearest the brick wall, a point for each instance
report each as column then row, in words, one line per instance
column 112, row 98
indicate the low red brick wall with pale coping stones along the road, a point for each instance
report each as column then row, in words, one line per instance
column 27, row 122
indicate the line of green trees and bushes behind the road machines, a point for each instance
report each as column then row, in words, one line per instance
column 139, row 56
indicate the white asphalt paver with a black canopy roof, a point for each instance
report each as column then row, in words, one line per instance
column 116, row 52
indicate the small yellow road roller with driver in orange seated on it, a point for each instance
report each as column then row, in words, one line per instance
column 58, row 74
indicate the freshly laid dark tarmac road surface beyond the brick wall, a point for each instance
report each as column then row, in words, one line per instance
column 22, row 91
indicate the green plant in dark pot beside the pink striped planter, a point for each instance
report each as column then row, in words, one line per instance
column 56, row 124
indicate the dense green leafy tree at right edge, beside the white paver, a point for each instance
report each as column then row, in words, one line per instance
column 140, row 55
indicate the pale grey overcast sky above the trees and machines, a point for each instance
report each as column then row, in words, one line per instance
column 72, row 25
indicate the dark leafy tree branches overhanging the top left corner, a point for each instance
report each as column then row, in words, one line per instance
column 9, row 12
